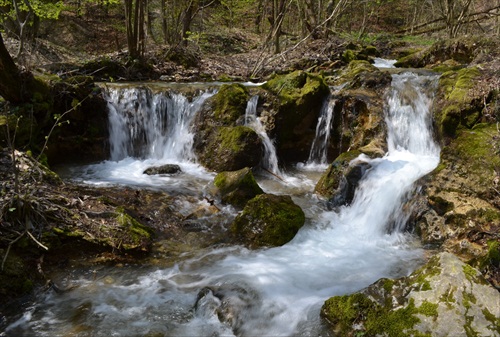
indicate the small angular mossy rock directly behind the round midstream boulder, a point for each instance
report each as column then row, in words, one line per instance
column 237, row 187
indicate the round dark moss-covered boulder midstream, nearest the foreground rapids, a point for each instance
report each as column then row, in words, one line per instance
column 268, row 220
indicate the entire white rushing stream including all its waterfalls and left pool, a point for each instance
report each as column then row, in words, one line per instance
column 230, row 290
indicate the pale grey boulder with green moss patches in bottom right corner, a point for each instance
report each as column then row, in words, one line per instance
column 445, row 297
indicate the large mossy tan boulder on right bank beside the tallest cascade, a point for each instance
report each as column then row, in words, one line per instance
column 460, row 209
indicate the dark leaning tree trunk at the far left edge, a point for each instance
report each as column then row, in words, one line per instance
column 10, row 77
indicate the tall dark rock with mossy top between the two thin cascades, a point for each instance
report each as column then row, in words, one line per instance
column 298, row 98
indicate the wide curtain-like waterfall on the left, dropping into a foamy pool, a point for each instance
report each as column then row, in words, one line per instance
column 151, row 125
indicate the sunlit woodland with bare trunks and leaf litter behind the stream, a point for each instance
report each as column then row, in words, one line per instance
column 84, row 28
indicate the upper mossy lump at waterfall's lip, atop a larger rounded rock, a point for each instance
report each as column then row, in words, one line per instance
column 230, row 103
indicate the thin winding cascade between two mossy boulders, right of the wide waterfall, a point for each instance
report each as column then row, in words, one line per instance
column 270, row 160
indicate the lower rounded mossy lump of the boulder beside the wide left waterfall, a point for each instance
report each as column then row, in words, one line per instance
column 231, row 149
